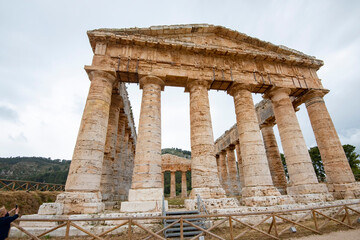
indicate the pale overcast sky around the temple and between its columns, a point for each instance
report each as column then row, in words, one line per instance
column 44, row 46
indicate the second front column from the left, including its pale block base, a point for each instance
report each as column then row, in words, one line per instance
column 146, row 179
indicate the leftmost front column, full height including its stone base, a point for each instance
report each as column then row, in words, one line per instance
column 83, row 182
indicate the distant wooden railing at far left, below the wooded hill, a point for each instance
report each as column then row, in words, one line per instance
column 18, row 185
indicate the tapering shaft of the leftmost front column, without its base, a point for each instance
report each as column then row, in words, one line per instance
column 86, row 165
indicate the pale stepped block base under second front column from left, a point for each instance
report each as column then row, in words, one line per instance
column 144, row 200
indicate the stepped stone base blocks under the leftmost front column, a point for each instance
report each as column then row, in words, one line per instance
column 74, row 203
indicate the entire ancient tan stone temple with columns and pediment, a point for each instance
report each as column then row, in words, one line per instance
column 111, row 163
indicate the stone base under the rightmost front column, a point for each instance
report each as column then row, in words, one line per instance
column 345, row 190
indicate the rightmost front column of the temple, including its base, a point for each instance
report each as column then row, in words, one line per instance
column 338, row 172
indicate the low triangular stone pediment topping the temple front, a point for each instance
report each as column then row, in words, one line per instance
column 204, row 36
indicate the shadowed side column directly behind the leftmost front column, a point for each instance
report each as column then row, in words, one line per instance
column 107, row 186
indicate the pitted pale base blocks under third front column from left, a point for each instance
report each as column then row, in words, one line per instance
column 212, row 203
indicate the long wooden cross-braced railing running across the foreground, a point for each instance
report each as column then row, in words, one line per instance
column 274, row 225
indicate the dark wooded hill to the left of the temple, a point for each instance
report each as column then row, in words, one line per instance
column 36, row 169
